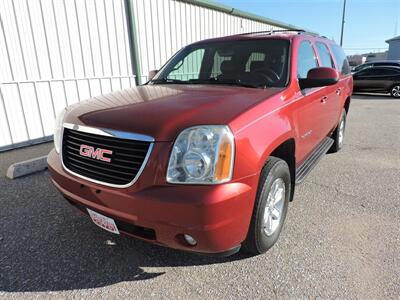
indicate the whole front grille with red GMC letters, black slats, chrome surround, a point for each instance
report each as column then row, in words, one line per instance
column 103, row 156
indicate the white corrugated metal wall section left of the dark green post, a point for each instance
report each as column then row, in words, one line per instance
column 54, row 53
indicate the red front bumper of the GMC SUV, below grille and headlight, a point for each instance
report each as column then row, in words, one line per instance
column 217, row 216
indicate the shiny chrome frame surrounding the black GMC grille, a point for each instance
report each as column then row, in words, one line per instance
column 109, row 133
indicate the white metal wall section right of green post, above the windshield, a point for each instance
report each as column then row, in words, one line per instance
column 165, row 26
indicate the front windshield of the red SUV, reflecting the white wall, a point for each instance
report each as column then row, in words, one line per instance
column 249, row 63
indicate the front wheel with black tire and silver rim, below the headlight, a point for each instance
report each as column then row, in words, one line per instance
column 263, row 235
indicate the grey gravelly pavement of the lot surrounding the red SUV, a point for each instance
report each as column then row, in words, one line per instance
column 341, row 238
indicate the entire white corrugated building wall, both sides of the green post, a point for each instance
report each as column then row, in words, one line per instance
column 54, row 53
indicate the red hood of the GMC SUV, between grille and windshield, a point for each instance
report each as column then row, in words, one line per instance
column 162, row 111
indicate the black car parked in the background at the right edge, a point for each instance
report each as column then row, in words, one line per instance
column 378, row 80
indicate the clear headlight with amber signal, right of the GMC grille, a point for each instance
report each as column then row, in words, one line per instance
column 202, row 155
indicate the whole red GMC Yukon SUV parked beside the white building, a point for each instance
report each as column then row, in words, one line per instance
column 206, row 155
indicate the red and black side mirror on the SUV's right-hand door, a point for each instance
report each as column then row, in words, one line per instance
column 318, row 77
